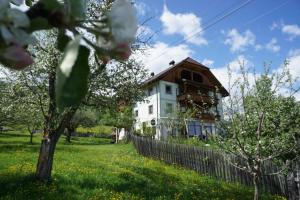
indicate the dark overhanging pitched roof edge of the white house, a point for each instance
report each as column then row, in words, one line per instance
column 187, row 60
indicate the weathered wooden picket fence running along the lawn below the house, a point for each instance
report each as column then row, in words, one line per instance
column 209, row 162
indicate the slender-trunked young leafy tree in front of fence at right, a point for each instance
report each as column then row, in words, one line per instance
column 262, row 124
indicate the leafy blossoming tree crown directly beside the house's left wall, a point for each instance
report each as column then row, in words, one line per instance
column 122, row 89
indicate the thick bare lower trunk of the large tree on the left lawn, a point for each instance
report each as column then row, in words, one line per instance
column 45, row 161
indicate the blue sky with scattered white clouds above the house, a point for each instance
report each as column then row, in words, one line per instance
column 261, row 31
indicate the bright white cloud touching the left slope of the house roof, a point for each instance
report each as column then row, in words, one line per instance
column 156, row 62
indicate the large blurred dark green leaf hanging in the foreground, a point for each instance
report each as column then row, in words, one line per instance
column 72, row 75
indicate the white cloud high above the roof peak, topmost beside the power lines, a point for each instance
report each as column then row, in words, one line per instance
column 183, row 24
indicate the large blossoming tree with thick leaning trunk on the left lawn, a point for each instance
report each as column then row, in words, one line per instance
column 106, row 88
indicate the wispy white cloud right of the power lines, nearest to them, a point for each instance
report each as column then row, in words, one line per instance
column 239, row 41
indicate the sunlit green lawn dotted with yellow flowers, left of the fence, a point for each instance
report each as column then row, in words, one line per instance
column 92, row 168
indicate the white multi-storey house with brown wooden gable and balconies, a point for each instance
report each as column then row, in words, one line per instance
column 187, row 85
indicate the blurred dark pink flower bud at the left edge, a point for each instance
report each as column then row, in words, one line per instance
column 16, row 57
